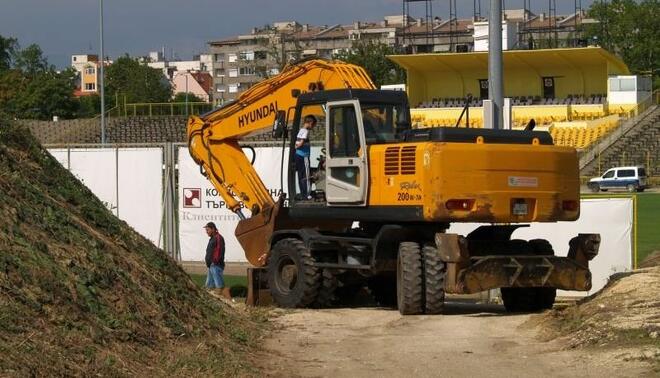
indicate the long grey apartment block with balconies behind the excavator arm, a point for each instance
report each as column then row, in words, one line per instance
column 239, row 62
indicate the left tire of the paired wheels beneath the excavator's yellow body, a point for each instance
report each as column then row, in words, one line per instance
column 409, row 279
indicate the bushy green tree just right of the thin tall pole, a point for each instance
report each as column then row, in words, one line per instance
column 136, row 81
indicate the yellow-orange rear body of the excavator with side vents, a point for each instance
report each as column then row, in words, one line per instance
column 484, row 181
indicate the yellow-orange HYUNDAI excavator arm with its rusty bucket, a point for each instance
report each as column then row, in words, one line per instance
column 213, row 142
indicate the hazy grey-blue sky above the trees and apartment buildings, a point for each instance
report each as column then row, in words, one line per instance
column 66, row 27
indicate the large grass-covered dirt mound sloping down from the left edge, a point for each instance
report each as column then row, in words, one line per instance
column 81, row 293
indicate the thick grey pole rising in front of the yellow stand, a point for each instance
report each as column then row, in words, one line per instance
column 495, row 80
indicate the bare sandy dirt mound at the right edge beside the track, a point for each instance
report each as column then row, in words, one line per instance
column 625, row 313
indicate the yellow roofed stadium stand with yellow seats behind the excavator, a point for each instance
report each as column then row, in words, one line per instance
column 563, row 90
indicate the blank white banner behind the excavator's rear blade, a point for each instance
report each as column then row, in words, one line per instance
column 612, row 218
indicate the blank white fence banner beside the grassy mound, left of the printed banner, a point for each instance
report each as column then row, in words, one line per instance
column 129, row 181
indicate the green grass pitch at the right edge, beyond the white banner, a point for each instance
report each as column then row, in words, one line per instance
column 648, row 222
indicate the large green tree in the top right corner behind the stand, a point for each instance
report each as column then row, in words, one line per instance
column 631, row 30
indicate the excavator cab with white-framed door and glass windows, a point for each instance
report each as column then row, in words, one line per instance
column 350, row 120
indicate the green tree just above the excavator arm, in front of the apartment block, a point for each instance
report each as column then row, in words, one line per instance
column 373, row 57
